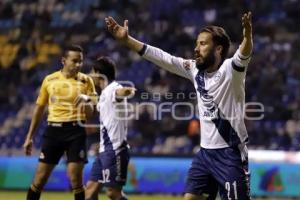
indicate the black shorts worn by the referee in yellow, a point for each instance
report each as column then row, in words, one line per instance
column 60, row 138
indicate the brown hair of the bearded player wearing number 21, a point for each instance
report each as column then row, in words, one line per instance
column 220, row 37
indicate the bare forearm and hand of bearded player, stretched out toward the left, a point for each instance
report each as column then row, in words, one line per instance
column 121, row 33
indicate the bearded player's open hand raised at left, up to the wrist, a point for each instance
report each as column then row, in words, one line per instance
column 119, row 32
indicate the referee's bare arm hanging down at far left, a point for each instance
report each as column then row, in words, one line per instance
column 36, row 119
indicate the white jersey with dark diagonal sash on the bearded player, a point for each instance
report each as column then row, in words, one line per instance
column 220, row 94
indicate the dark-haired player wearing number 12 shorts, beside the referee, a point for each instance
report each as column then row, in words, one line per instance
column 110, row 166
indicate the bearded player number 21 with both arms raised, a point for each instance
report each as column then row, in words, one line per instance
column 222, row 162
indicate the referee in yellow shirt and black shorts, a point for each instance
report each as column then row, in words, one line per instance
column 68, row 95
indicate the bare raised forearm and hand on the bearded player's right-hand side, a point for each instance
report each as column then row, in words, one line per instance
column 247, row 43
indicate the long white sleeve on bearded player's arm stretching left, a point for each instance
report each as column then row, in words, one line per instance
column 176, row 65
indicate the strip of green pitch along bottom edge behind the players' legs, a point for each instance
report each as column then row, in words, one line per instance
column 21, row 195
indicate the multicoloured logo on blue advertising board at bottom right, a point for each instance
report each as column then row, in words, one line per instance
column 271, row 180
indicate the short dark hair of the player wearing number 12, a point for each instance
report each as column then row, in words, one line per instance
column 106, row 66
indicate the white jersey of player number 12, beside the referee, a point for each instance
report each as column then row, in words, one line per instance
column 113, row 123
